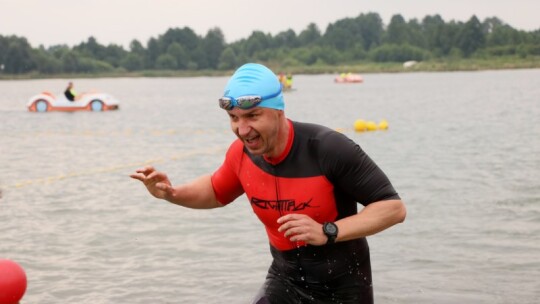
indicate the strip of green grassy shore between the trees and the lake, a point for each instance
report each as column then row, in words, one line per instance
column 496, row 63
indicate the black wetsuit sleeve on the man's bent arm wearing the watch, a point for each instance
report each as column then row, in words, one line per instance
column 352, row 170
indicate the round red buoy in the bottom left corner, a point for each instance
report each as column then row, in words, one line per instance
column 12, row 282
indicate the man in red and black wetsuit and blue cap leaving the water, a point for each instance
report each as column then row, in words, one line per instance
column 304, row 182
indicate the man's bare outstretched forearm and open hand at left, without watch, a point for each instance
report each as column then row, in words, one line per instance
column 197, row 194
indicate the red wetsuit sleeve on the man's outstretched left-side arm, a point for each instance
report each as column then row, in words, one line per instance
column 225, row 182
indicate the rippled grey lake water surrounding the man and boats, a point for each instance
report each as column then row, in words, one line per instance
column 463, row 151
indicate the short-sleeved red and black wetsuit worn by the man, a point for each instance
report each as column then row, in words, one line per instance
column 323, row 174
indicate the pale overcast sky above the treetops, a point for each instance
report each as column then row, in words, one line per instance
column 70, row 22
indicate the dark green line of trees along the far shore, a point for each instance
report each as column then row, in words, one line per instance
column 350, row 40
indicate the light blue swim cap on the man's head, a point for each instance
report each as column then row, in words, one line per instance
column 256, row 79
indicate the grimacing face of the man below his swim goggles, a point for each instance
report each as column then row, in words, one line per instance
column 257, row 128
